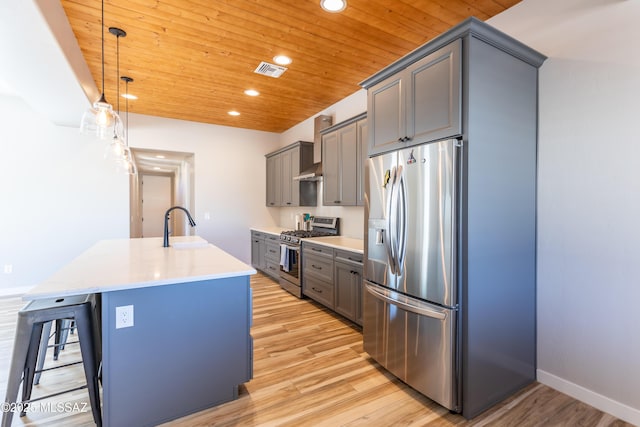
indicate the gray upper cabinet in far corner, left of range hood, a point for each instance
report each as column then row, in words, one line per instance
column 282, row 166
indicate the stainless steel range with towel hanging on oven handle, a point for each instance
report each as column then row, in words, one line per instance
column 290, row 261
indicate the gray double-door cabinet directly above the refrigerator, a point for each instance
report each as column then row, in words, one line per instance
column 420, row 103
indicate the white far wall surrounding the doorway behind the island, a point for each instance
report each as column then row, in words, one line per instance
column 228, row 175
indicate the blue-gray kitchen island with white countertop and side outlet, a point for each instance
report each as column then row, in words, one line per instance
column 186, row 345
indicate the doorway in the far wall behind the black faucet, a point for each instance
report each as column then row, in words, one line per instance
column 164, row 179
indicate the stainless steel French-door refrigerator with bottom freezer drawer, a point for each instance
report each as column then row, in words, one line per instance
column 411, row 301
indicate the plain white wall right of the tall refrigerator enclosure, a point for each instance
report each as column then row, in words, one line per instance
column 588, row 274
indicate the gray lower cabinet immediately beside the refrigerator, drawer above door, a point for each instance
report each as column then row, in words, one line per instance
column 348, row 285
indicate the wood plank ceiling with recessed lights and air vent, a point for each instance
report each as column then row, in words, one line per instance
column 193, row 59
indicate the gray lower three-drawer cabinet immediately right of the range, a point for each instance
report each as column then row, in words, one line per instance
column 317, row 273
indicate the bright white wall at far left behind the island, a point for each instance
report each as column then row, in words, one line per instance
column 58, row 195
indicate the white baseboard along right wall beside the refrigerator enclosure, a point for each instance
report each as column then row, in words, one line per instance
column 603, row 403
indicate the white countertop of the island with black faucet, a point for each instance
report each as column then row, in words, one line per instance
column 113, row 265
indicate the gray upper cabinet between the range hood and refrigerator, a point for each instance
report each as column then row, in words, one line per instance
column 342, row 162
